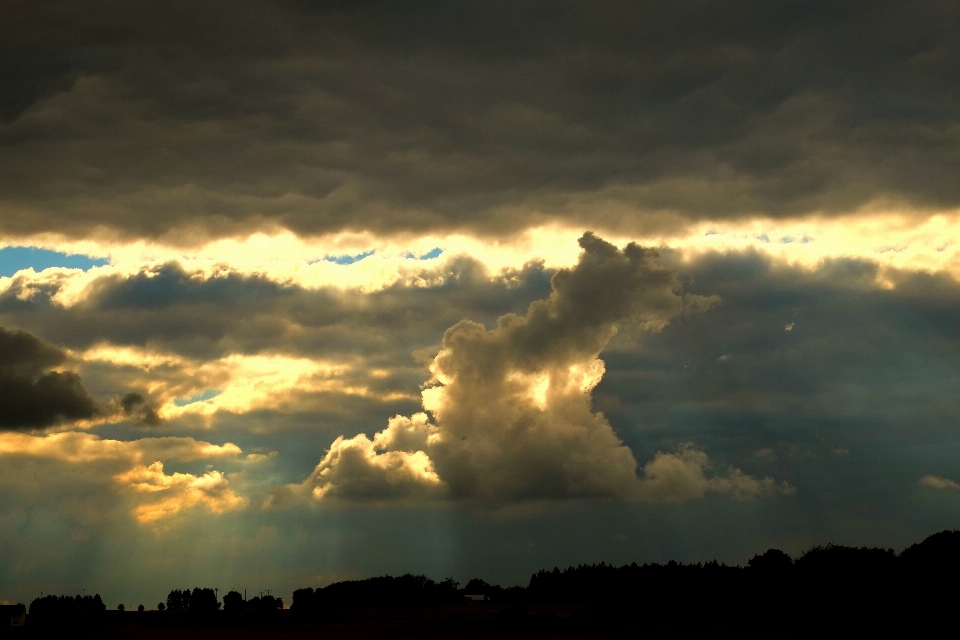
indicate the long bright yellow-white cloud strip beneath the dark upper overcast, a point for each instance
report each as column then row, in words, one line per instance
column 901, row 239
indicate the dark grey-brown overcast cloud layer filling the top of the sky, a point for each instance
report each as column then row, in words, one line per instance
column 387, row 116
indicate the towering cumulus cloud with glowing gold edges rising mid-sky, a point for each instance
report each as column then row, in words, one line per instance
column 511, row 406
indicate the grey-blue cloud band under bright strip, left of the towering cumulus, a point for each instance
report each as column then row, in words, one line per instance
column 217, row 312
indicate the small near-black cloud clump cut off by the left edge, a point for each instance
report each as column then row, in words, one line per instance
column 31, row 396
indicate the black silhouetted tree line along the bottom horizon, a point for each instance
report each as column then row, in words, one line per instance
column 827, row 589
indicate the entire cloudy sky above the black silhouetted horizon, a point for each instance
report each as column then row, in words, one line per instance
column 297, row 292
